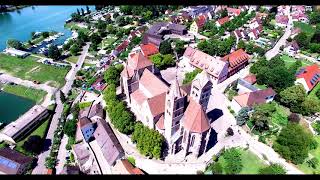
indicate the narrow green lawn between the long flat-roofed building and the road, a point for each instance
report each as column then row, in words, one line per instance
column 40, row 131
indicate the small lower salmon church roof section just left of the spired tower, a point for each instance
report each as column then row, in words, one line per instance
column 157, row 104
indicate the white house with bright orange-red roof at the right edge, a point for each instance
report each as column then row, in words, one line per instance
column 308, row 77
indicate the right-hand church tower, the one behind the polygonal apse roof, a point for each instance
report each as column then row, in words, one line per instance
column 201, row 89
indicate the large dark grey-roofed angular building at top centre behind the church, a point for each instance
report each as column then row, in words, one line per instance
column 156, row 33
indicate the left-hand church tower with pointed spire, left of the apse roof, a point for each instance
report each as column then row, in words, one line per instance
column 174, row 109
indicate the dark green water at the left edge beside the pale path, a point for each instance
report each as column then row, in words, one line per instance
column 12, row 107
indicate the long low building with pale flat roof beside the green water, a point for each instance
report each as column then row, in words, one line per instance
column 25, row 124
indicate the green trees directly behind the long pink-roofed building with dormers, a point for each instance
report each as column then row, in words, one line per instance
column 217, row 47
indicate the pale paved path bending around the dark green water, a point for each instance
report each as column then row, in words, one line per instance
column 50, row 90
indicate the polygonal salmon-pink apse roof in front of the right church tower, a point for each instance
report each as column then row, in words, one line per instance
column 195, row 119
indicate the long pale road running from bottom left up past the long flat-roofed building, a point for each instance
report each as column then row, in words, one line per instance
column 40, row 168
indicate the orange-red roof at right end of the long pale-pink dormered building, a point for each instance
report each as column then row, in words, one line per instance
column 236, row 58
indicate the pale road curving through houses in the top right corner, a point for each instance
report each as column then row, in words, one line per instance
column 282, row 41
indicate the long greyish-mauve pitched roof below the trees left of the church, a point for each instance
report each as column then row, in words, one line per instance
column 108, row 142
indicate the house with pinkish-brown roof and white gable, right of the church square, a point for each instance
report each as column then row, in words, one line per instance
column 249, row 99
